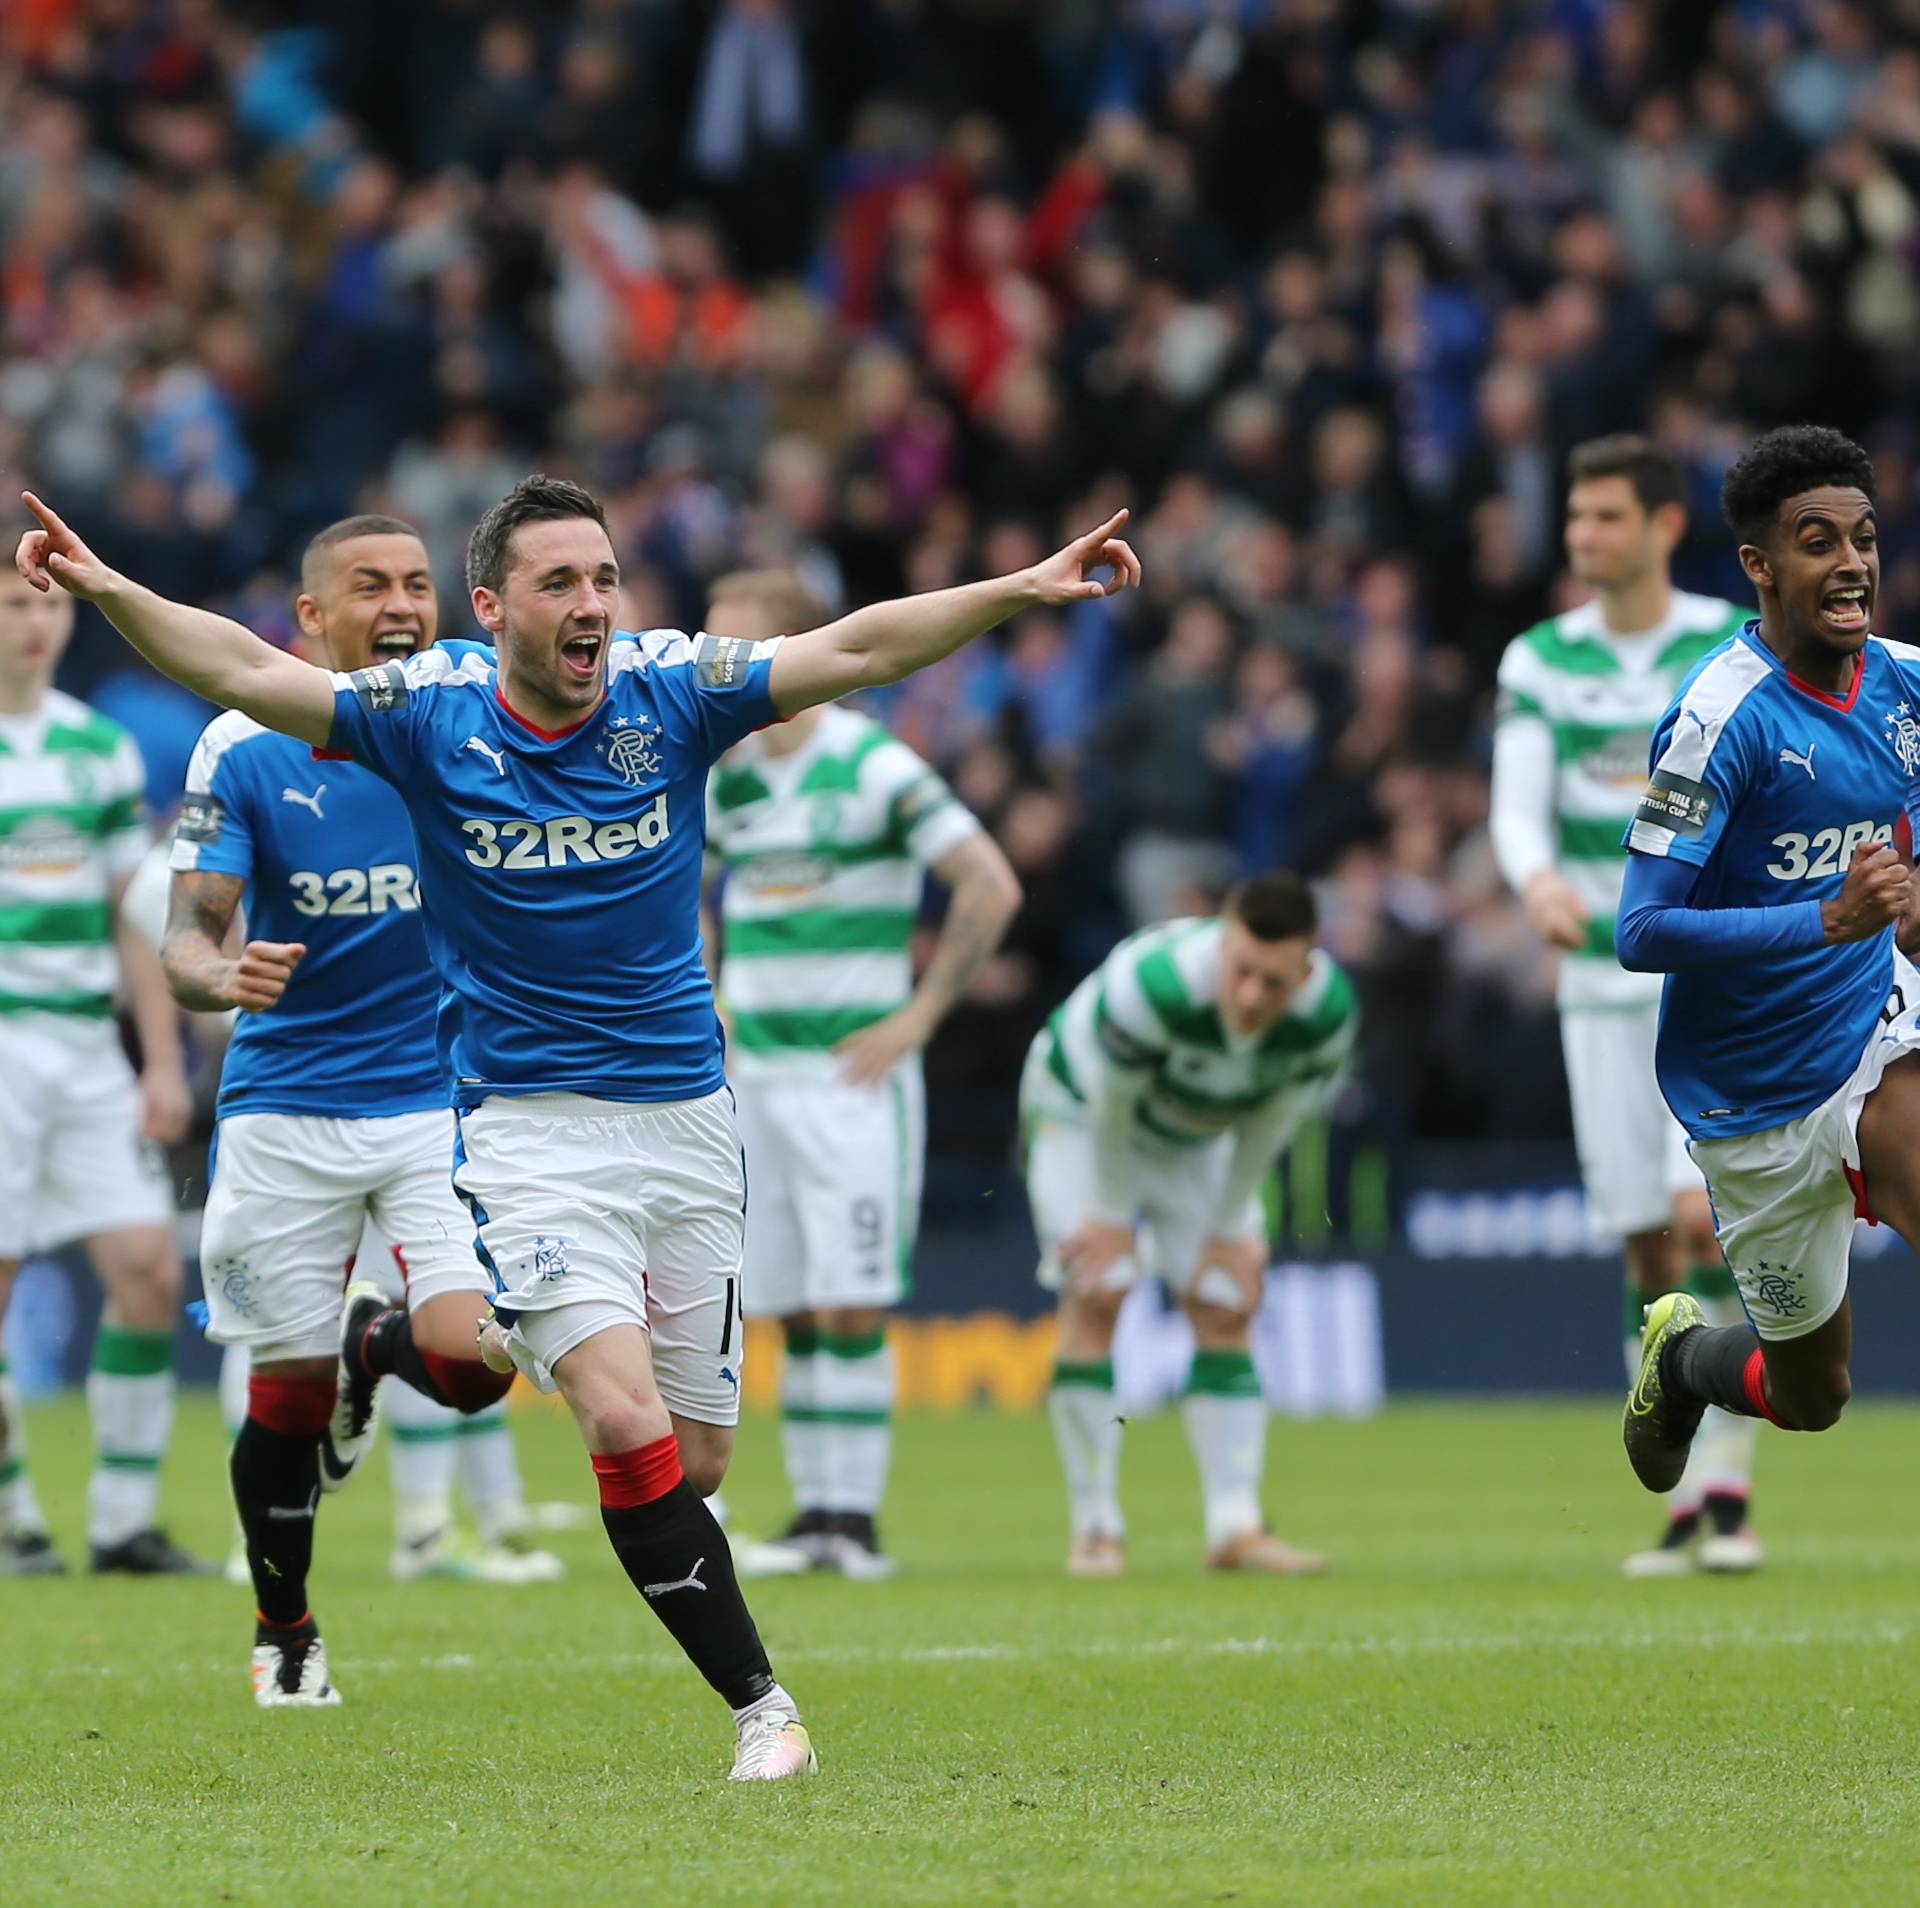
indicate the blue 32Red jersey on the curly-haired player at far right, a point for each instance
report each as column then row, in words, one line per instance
column 1769, row 786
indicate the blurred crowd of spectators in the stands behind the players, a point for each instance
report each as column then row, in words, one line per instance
column 905, row 291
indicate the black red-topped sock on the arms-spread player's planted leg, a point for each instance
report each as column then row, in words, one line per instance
column 679, row 1558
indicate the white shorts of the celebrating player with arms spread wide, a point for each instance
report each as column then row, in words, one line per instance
column 596, row 1214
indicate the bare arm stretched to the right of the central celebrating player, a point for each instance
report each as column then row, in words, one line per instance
column 886, row 642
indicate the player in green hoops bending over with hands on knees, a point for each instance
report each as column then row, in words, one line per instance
column 1155, row 1103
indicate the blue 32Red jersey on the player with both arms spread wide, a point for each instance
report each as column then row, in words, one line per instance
column 562, row 872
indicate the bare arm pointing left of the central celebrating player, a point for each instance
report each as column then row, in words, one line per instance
column 212, row 656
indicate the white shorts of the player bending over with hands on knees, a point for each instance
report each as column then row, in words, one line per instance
column 1176, row 1189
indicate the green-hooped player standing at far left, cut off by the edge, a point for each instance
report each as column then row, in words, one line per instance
column 78, row 1157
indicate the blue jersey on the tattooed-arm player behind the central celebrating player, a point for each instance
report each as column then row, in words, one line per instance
column 327, row 853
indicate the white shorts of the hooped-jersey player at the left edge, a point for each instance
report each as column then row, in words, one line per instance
column 72, row 1157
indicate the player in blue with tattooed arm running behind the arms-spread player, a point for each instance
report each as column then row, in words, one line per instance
column 333, row 1110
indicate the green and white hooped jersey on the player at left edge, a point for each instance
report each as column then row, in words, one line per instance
column 70, row 828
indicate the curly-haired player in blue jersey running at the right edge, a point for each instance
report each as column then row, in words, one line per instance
column 1767, row 886
